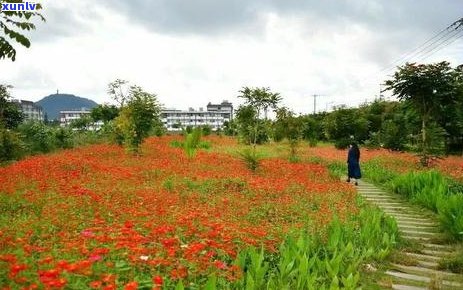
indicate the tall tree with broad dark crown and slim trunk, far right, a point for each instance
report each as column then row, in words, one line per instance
column 427, row 87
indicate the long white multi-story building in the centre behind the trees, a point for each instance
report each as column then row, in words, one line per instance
column 214, row 116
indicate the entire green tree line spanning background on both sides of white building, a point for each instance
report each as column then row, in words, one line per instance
column 427, row 118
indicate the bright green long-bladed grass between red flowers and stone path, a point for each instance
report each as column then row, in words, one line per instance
column 320, row 260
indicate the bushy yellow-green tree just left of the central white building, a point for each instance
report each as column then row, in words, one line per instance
column 138, row 117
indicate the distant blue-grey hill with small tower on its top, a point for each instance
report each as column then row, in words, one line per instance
column 52, row 104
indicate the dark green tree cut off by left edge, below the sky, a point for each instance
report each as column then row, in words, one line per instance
column 10, row 113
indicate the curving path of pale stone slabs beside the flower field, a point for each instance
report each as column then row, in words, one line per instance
column 418, row 270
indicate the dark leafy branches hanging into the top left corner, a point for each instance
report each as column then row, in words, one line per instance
column 11, row 23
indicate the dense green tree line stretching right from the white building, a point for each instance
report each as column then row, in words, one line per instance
column 427, row 116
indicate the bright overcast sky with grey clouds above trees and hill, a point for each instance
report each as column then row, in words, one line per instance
column 191, row 52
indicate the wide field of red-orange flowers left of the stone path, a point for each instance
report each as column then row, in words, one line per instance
column 96, row 217
